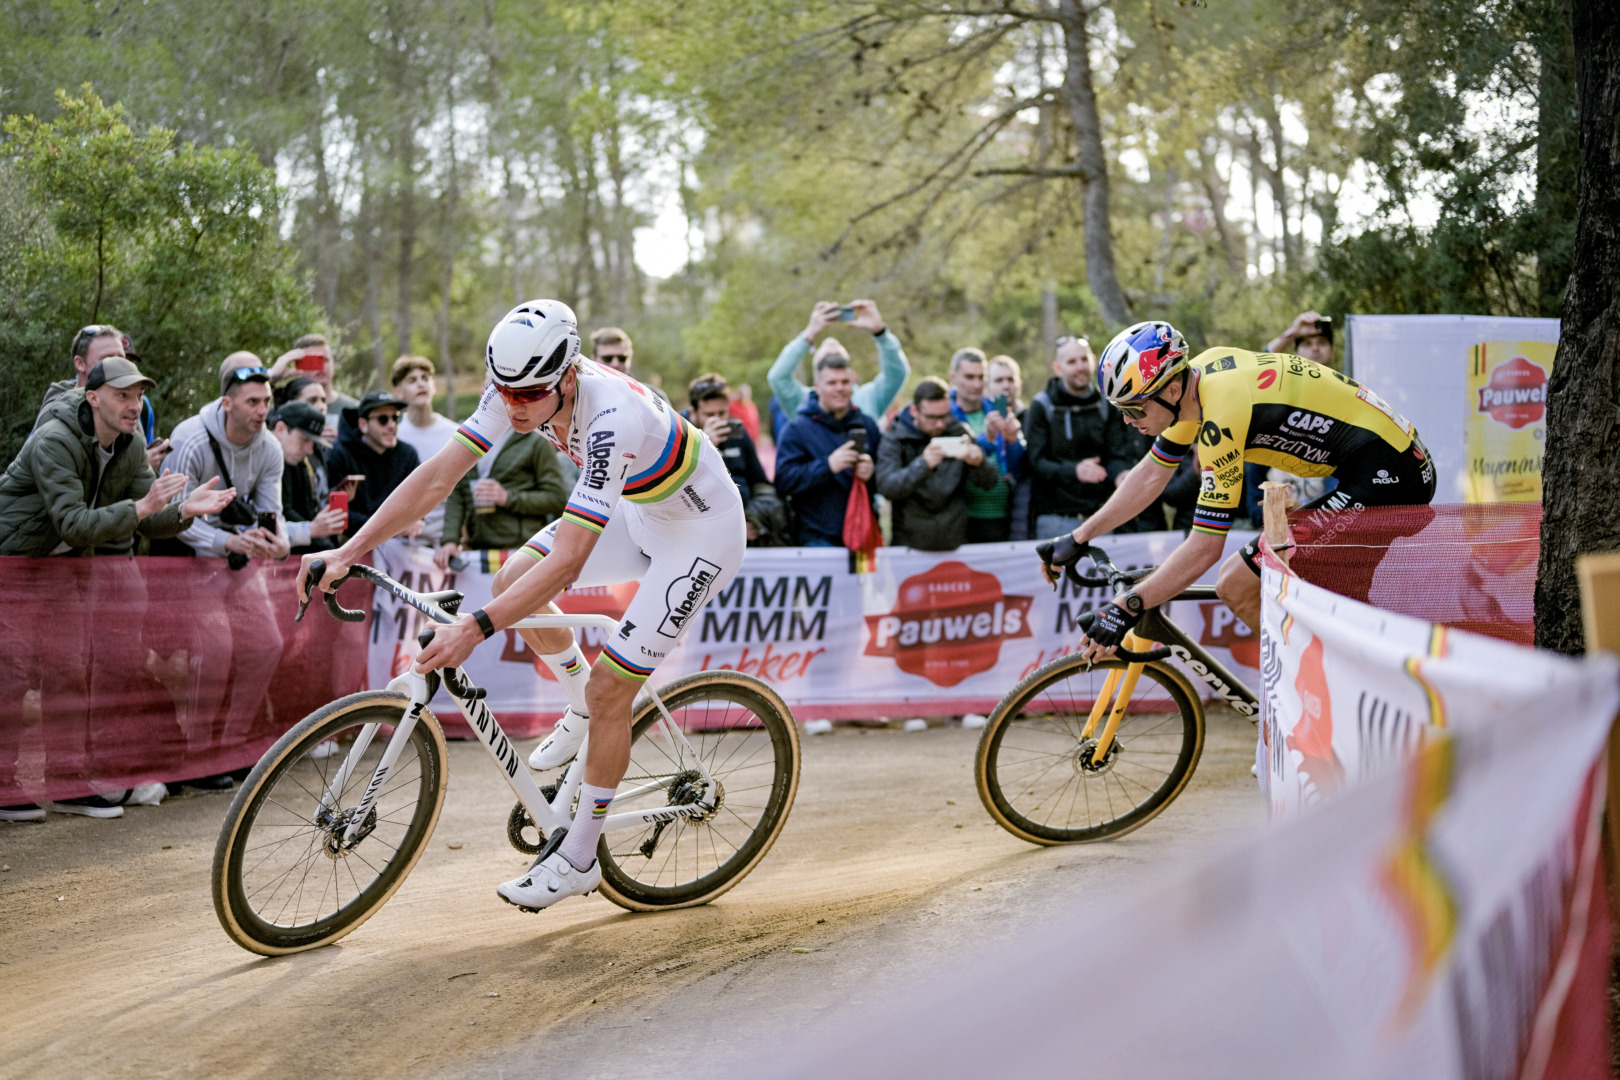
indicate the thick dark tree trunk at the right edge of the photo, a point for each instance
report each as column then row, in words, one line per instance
column 1582, row 470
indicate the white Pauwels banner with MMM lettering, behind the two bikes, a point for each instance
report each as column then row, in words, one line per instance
column 926, row 634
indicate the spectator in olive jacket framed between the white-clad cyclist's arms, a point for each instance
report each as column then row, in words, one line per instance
column 511, row 495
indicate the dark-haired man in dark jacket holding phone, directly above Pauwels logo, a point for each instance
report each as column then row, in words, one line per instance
column 926, row 485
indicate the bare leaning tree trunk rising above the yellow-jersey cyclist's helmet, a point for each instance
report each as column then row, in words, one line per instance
column 1093, row 164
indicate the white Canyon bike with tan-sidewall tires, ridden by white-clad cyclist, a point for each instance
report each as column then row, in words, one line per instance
column 339, row 810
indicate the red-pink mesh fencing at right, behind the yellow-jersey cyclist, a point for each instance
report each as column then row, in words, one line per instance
column 1467, row 568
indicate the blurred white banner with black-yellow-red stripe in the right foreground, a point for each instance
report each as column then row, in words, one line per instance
column 1444, row 919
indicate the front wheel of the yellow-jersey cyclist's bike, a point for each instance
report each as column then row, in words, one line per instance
column 1039, row 778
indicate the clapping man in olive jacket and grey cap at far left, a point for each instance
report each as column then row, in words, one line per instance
column 82, row 485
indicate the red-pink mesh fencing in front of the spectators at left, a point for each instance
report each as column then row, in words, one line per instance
column 117, row 673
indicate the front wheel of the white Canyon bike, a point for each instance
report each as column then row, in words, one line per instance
column 281, row 874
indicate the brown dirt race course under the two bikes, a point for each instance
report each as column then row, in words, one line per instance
column 114, row 966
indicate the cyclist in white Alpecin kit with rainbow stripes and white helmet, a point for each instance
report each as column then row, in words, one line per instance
column 654, row 504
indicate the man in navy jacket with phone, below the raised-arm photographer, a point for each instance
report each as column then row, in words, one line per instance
column 821, row 454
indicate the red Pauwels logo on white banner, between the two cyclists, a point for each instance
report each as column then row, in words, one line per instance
column 949, row 624
